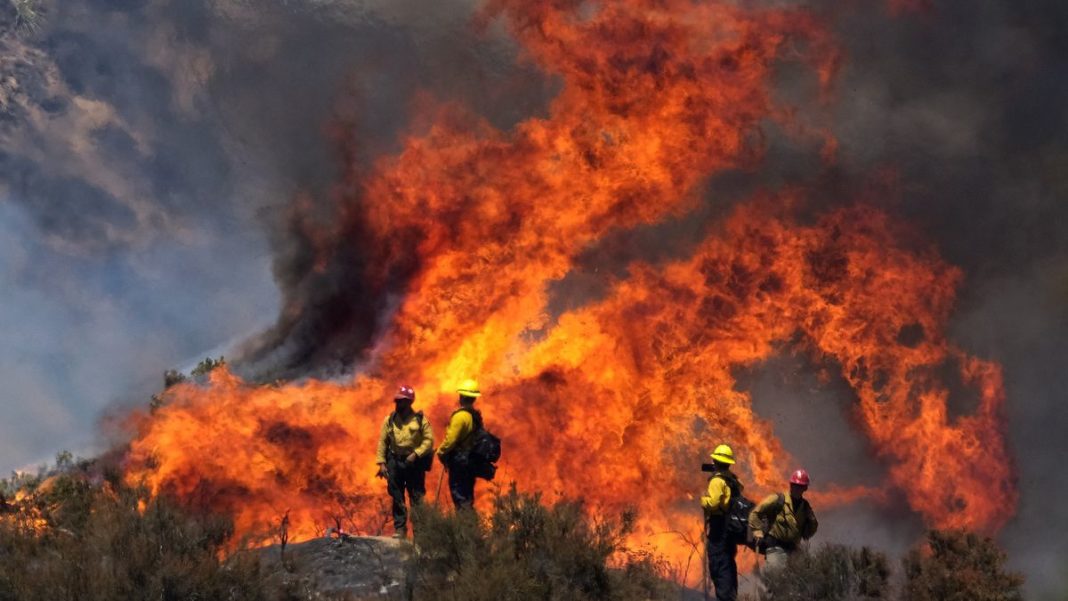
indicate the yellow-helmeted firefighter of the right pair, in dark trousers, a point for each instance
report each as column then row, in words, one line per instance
column 723, row 486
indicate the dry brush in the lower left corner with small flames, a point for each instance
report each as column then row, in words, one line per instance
column 98, row 545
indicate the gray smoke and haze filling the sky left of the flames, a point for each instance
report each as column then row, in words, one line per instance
column 151, row 155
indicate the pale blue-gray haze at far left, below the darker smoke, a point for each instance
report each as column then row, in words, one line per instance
column 82, row 334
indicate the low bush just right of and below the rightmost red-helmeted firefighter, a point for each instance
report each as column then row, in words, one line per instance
column 833, row 573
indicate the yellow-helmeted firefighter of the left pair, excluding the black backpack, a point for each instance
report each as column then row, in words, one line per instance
column 464, row 423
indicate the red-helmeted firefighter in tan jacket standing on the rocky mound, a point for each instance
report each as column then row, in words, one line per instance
column 405, row 453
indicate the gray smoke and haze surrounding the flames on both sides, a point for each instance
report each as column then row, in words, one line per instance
column 152, row 150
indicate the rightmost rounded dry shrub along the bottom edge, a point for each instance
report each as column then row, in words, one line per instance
column 960, row 566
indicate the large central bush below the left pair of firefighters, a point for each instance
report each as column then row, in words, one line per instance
column 529, row 551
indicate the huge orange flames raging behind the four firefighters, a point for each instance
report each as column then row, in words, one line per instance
column 617, row 402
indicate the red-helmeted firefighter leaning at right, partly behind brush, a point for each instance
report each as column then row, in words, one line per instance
column 782, row 521
